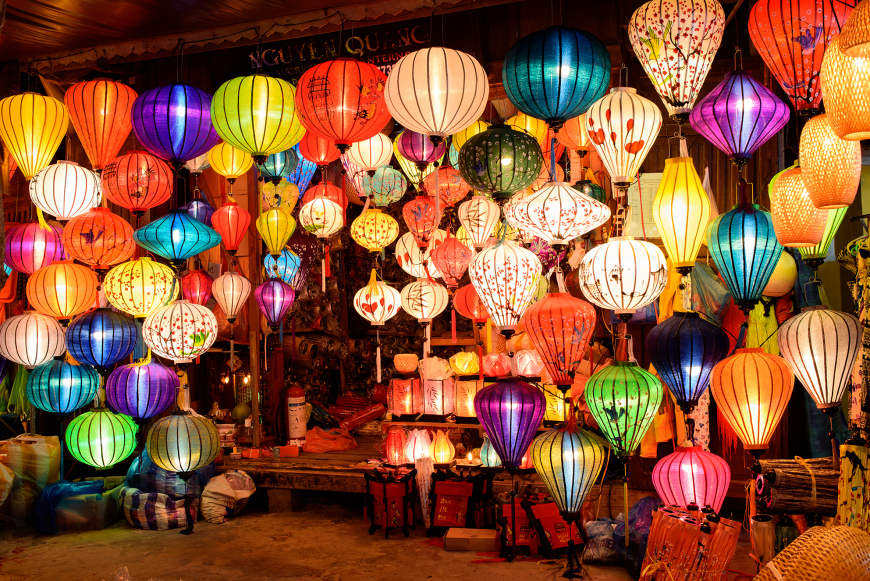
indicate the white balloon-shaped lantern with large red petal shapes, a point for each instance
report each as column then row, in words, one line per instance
column 623, row 127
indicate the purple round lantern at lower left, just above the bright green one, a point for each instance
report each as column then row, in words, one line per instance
column 141, row 391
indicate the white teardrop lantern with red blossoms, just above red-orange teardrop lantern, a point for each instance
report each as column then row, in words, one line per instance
column 505, row 276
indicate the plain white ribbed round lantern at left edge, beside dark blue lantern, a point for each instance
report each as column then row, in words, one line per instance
column 31, row 339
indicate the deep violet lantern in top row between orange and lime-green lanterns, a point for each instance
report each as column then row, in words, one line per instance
column 174, row 123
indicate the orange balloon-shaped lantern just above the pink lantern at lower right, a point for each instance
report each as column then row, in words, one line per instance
column 751, row 389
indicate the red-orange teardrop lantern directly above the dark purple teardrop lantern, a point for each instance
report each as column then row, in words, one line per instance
column 560, row 327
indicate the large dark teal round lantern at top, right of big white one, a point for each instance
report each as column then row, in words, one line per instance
column 556, row 74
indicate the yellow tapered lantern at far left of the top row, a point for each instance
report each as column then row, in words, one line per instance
column 32, row 127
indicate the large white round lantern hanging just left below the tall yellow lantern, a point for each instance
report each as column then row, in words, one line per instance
column 623, row 274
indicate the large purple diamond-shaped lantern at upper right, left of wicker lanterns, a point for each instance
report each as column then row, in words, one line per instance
column 739, row 115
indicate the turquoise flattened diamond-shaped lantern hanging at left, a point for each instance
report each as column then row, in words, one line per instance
column 176, row 237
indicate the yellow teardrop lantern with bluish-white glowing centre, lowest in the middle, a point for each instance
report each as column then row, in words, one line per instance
column 569, row 462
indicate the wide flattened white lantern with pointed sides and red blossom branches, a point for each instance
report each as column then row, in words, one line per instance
column 558, row 213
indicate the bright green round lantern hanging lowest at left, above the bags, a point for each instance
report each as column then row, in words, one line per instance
column 100, row 438
